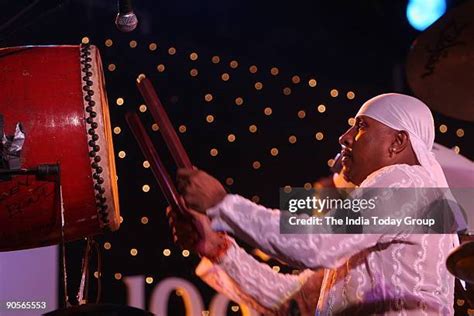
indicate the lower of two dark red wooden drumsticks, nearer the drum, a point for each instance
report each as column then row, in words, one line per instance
column 157, row 166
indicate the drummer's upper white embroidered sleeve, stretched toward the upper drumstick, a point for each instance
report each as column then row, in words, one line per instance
column 259, row 227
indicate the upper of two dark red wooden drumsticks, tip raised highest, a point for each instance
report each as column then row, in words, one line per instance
column 166, row 128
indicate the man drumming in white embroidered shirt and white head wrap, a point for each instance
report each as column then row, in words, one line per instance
column 389, row 146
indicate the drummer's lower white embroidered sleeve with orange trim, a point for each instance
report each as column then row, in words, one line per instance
column 245, row 280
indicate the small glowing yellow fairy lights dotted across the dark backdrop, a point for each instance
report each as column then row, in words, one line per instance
column 240, row 101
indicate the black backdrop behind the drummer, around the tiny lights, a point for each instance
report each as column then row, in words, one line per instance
column 357, row 46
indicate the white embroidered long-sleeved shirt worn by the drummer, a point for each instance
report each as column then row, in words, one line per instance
column 366, row 274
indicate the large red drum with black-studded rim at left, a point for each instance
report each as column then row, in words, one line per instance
column 57, row 94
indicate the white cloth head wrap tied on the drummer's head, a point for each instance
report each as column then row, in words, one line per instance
column 405, row 113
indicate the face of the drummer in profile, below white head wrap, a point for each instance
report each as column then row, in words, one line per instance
column 365, row 148
